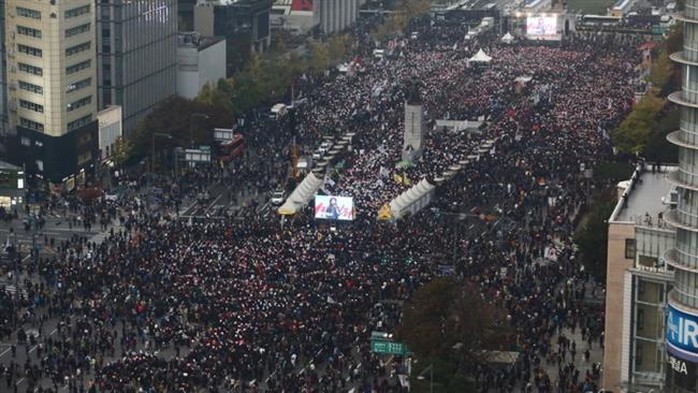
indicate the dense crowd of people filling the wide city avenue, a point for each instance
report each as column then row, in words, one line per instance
column 170, row 305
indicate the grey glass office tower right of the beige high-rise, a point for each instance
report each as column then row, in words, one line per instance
column 137, row 55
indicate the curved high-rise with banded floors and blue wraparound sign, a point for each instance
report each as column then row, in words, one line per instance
column 682, row 310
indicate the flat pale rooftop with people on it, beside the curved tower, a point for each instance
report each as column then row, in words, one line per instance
column 645, row 195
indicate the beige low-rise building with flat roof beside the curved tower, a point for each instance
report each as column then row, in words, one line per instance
column 637, row 283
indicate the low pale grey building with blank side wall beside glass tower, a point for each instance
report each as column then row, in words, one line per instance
column 200, row 60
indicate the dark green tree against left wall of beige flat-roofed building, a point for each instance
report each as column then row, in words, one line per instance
column 592, row 239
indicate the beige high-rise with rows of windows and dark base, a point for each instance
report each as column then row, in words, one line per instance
column 51, row 85
